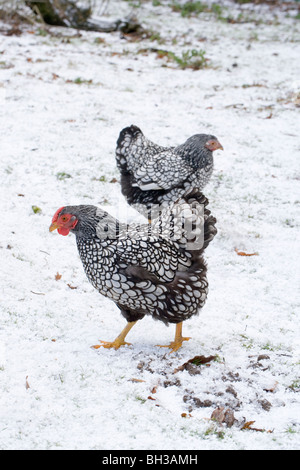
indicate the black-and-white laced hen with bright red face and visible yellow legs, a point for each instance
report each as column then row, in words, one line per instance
column 156, row 269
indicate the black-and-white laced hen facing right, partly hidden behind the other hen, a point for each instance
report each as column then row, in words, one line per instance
column 155, row 175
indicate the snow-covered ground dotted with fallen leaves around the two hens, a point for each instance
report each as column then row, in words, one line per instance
column 64, row 98
